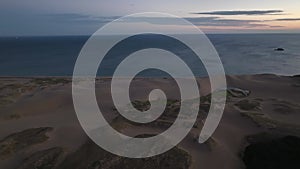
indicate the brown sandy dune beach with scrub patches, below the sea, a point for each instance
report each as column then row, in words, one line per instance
column 39, row 126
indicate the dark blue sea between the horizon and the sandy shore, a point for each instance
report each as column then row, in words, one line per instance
column 239, row 53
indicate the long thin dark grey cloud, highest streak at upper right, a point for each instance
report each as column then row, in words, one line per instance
column 243, row 12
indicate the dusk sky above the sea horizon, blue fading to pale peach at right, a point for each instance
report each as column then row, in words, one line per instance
column 82, row 17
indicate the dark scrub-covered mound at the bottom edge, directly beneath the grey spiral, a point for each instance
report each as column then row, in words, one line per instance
column 91, row 156
